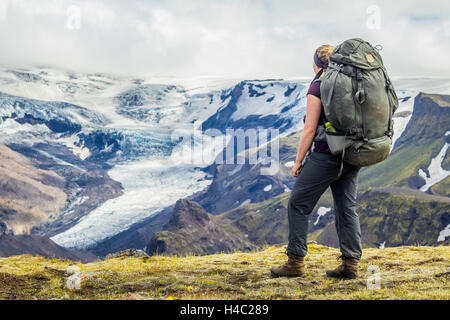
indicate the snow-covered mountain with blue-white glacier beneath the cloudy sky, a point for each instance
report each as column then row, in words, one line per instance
column 125, row 126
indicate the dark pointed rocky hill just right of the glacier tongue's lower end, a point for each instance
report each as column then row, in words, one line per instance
column 191, row 230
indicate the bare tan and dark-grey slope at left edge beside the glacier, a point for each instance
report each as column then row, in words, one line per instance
column 44, row 195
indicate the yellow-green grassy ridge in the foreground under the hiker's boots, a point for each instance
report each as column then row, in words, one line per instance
column 405, row 273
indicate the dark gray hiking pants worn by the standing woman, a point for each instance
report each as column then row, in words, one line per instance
column 319, row 172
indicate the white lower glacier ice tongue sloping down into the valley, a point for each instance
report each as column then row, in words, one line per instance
column 150, row 186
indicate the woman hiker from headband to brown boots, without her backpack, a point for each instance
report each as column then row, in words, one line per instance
column 314, row 174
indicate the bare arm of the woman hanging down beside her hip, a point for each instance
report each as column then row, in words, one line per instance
column 313, row 109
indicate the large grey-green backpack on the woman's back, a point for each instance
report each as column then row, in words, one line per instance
column 359, row 100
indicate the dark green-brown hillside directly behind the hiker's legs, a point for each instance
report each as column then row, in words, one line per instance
column 395, row 216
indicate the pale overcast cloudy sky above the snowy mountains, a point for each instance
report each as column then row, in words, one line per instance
column 231, row 38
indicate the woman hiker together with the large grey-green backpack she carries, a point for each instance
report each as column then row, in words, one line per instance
column 349, row 117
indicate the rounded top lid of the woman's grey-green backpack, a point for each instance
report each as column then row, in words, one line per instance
column 358, row 53
